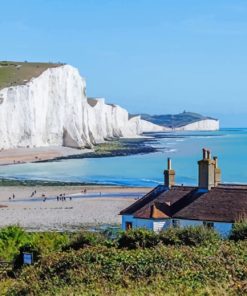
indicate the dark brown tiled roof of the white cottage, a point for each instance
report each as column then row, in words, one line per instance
column 224, row 203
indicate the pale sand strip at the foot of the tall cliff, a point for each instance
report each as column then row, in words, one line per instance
column 23, row 155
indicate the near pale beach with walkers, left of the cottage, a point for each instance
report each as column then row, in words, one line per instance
column 98, row 205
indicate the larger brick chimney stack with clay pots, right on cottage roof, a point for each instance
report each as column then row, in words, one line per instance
column 206, row 171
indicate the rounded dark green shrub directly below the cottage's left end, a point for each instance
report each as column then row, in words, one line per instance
column 138, row 238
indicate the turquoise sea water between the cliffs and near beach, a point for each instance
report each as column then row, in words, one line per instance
column 184, row 148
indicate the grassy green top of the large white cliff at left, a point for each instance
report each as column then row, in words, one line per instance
column 18, row 73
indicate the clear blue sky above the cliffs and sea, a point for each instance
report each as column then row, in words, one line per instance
column 153, row 56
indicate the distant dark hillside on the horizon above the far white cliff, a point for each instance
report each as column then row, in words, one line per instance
column 175, row 120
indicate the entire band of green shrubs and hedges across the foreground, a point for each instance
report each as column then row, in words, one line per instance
column 191, row 261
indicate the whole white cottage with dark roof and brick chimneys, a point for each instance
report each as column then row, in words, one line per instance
column 210, row 203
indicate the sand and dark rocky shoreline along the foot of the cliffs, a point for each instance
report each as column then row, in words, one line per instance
column 120, row 147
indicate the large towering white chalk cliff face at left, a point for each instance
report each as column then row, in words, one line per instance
column 52, row 109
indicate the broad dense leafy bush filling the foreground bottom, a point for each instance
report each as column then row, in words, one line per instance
column 169, row 270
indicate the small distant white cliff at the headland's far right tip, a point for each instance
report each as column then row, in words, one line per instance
column 202, row 125
